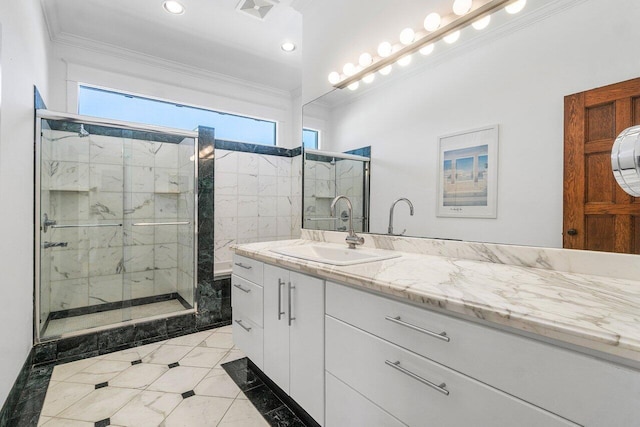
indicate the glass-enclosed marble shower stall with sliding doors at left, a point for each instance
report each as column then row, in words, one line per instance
column 116, row 205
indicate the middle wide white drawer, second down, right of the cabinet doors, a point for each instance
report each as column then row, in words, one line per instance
column 398, row 381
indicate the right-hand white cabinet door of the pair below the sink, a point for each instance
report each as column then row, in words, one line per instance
column 307, row 344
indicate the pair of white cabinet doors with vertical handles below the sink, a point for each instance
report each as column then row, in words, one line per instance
column 294, row 336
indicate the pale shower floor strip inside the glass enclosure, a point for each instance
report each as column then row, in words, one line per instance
column 57, row 327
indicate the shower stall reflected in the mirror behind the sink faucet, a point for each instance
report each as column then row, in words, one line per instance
column 327, row 175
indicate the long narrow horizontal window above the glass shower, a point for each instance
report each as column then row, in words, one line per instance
column 120, row 106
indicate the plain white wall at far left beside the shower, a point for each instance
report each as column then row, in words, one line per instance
column 24, row 63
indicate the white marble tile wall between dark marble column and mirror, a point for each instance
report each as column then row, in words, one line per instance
column 257, row 198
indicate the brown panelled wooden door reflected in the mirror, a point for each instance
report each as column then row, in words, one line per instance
column 598, row 214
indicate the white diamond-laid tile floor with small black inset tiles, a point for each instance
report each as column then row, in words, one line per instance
column 178, row 382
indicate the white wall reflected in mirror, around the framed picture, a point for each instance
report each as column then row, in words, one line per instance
column 517, row 81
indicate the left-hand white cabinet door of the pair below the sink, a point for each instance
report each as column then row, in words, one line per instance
column 276, row 326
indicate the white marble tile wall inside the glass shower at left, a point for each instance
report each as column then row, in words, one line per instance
column 103, row 179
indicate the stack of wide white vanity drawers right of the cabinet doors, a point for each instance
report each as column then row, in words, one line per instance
column 405, row 359
